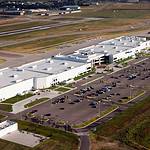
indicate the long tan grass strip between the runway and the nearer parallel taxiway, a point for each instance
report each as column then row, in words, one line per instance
column 78, row 27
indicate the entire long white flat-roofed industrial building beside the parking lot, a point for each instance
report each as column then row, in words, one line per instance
column 64, row 68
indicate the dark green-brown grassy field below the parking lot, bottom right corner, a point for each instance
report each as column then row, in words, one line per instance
column 130, row 127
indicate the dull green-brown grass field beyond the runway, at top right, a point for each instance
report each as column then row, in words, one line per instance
column 116, row 10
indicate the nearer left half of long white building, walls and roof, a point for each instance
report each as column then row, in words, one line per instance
column 38, row 75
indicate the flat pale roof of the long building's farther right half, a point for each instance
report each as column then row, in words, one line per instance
column 114, row 46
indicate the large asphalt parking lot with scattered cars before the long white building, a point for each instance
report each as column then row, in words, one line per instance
column 91, row 99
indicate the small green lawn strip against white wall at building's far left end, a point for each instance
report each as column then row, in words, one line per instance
column 17, row 98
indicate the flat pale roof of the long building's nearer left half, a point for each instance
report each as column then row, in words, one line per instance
column 41, row 68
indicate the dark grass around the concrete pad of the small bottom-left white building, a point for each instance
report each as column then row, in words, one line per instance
column 59, row 140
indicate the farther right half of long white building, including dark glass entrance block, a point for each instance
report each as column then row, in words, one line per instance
column 114, row 50
